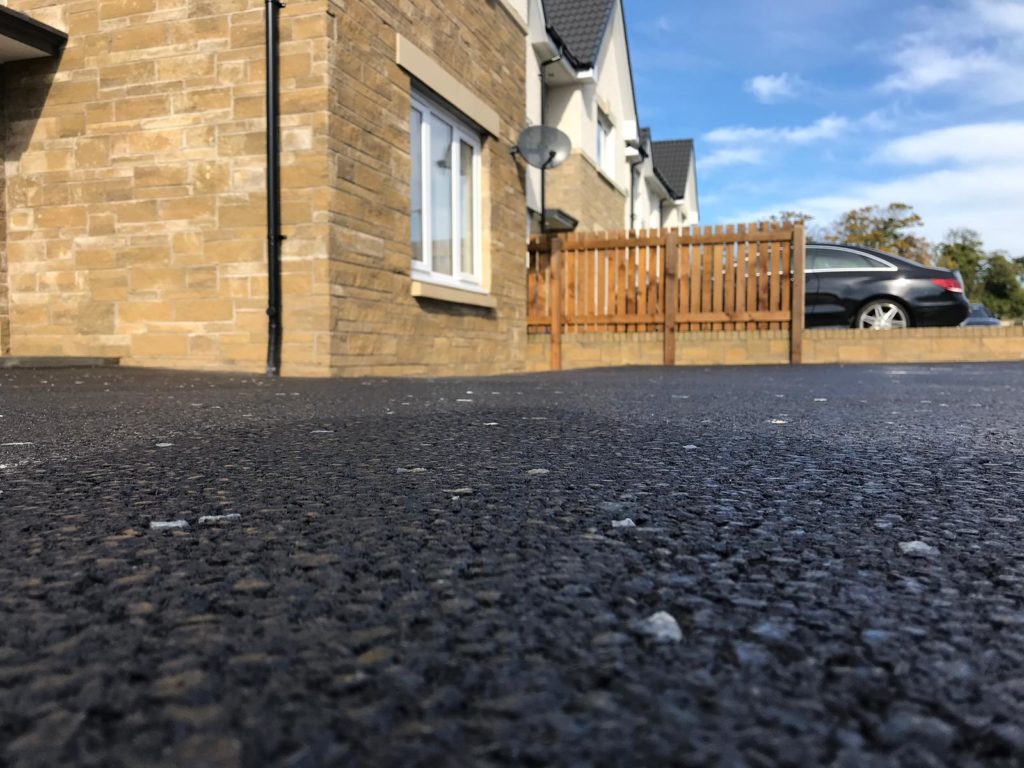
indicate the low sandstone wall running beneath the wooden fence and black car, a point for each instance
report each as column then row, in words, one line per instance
column 773, row 348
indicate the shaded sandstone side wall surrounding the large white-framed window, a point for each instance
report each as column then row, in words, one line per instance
column 378, row 327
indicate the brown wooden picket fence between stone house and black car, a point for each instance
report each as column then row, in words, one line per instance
column 734, row 278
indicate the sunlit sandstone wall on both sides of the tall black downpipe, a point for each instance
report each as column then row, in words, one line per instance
column 136, row 196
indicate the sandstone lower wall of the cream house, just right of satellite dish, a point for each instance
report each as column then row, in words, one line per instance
column 580, row 190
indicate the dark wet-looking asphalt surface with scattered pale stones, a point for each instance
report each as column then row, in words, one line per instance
column 428, row 573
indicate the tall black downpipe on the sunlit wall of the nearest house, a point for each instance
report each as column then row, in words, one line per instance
column 274, row 236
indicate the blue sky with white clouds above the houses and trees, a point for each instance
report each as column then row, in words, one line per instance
column 830, row 106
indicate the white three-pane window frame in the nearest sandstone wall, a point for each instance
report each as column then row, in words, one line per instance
column 461, row 132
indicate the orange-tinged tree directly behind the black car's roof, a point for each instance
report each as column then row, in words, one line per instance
column 883, row 229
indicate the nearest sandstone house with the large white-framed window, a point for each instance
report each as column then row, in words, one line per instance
column 134, row 206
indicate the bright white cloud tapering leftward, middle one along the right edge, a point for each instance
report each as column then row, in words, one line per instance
column 975, row 145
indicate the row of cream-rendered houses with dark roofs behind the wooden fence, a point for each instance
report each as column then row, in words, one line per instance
column 580, row 80
